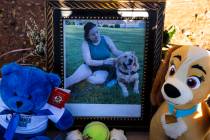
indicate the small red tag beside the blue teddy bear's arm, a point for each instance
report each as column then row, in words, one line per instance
column 59, row 97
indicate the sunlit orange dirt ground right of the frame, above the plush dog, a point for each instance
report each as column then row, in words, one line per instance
column 191, row 19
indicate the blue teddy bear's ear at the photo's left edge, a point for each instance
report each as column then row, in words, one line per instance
column 9, row 68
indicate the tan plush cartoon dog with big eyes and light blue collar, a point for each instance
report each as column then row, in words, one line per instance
column 184, row 80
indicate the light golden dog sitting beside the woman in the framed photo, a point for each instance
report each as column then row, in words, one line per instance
column 127, row 67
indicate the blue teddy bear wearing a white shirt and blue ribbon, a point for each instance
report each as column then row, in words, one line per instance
column 24, row 107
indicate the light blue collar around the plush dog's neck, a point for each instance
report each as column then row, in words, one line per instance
column 181, row 113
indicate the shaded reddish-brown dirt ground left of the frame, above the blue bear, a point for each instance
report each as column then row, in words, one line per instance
column 13, row 15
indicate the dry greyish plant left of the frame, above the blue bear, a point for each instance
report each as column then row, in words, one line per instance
column 37, row 38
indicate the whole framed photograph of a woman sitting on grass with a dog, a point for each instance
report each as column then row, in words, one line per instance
column 107, row 53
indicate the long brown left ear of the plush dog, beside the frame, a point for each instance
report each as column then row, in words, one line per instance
column 156, row 96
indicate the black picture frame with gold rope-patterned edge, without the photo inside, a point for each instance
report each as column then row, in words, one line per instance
column 109, row 10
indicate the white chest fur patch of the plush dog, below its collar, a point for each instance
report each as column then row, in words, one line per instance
column 174, row 130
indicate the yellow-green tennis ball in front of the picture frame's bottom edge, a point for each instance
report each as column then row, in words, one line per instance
column 96, row 131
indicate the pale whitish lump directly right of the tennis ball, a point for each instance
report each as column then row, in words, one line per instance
column 117, row 135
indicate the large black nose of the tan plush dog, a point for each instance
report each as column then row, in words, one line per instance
column 171, row 91
